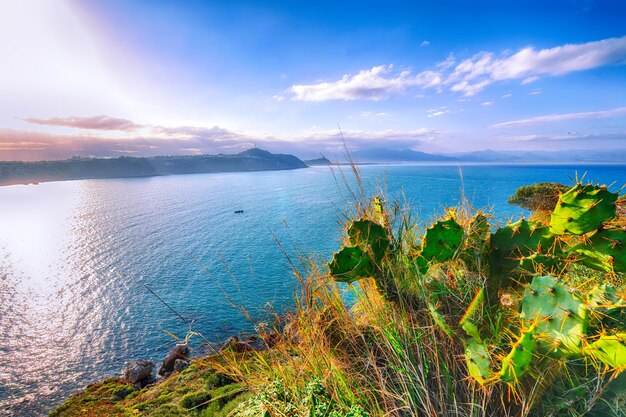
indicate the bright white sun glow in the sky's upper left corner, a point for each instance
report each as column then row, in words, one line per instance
column 51, row 63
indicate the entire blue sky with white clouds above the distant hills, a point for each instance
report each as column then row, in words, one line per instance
column 152, row 77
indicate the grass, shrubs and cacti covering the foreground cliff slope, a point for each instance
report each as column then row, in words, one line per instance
column 460, row 318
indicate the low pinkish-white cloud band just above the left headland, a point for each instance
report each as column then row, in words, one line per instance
column 189, row 140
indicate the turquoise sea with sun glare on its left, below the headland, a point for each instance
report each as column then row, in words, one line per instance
column 76, row 256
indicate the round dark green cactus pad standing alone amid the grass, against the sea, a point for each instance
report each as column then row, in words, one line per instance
column 442, row 240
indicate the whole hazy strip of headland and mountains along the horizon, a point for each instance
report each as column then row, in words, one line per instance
column 260, row 160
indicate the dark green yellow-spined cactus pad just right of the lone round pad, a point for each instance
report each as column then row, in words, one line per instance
column 515, row 241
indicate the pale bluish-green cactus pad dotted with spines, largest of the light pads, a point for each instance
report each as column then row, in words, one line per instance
column 562, row 317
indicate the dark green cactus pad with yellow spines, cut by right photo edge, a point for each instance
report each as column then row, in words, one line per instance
column 605, row 250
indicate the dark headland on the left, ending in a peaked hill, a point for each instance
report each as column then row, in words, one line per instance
column 123, row 167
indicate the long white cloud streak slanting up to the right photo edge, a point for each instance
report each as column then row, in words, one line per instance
column 469, row 76
